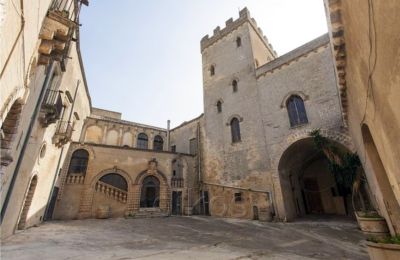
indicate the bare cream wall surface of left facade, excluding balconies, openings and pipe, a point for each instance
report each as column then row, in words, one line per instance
column 22, row 80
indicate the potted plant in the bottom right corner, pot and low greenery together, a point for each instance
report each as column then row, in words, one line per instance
column 384, row 249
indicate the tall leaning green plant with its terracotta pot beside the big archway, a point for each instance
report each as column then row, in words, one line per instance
column 348, row 173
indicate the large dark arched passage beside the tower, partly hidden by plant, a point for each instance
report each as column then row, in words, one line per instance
column 308, row 185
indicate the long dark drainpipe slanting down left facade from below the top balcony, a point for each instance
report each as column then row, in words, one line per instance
column 32, row 122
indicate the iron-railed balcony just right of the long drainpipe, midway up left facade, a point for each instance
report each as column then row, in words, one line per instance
column 51, row 107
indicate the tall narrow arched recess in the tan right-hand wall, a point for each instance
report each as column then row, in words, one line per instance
column 389, row 199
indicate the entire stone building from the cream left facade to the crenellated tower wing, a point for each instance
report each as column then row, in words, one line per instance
column 249, row 155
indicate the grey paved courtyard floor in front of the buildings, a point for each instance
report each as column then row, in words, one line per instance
column 187, row 238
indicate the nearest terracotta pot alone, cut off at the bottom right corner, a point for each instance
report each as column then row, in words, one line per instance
column 380, row 251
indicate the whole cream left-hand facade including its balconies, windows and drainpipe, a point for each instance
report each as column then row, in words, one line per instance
column 34, row 145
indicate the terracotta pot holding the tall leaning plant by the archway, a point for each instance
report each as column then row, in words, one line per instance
column 373, row 226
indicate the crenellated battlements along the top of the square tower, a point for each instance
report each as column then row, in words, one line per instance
column 230, row 25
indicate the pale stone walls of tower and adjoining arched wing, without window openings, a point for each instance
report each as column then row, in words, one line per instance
column 260, row 105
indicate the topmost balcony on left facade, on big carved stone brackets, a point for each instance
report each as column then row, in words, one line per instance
column 58, row 30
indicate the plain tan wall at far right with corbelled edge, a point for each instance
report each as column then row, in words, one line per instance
column 364, row 37
